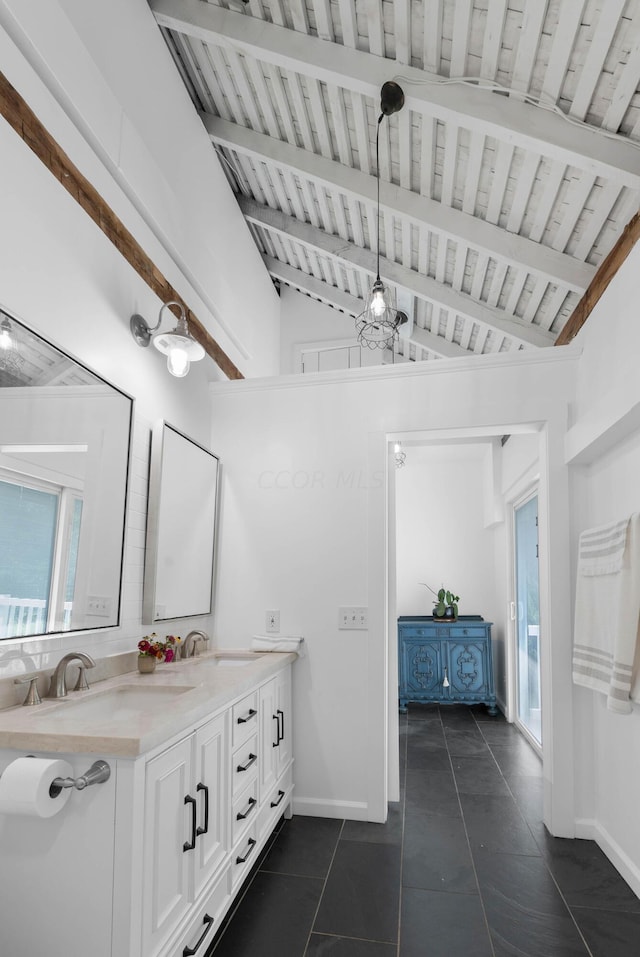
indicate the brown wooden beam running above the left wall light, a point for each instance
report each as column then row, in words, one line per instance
column 26, row 124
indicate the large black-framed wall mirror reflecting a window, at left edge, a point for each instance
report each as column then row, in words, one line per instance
column 64, row 459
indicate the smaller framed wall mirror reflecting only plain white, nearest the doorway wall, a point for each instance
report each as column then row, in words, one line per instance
column 181, row 527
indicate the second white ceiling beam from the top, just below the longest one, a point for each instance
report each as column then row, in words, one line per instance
column 460, row 227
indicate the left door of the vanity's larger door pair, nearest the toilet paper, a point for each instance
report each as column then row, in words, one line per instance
column 170, row 824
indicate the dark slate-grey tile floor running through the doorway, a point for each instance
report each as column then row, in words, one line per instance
column 462, row 868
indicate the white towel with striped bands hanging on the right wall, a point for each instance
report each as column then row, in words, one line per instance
column 608, row 611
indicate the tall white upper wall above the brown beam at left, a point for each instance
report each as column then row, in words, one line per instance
column 117, row 106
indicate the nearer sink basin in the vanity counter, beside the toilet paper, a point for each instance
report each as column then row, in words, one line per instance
column 119, row 704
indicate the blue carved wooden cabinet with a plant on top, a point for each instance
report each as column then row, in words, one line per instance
column 445, row 662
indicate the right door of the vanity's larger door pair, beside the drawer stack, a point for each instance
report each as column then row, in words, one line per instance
column 211, row 792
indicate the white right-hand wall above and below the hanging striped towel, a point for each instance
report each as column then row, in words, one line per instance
column 604, row 447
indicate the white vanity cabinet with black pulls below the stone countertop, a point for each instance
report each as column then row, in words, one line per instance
column 152, row 859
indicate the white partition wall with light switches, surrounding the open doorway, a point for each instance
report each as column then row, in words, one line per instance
column 304, row 530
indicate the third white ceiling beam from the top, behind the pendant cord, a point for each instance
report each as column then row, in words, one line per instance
column 422, row 286
